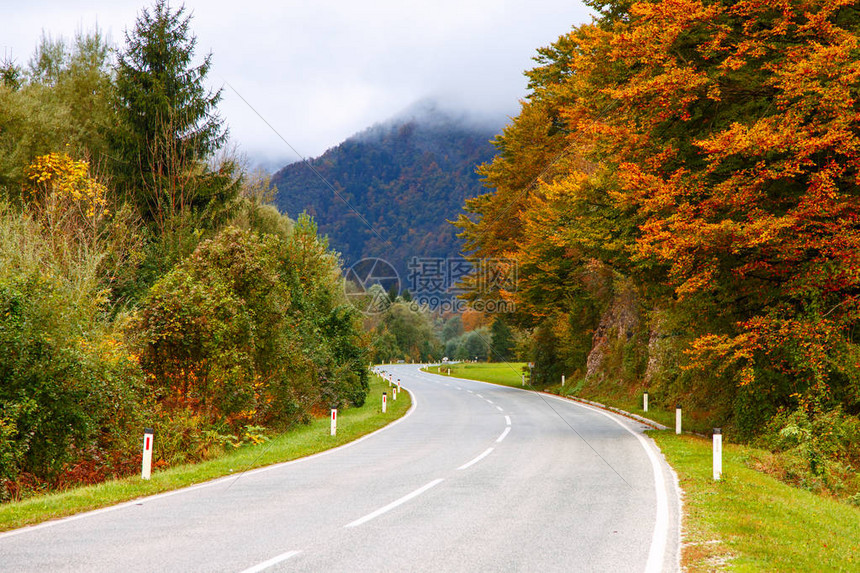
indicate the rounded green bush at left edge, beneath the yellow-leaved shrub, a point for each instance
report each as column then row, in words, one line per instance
column 67, row 383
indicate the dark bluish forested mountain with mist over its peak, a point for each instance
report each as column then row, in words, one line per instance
column 405, row 178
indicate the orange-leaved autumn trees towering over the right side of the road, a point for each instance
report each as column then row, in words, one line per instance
column 708, row 154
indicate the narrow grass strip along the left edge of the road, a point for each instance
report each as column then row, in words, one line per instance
column 301, row 441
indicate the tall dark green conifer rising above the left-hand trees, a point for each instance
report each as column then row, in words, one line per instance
column 169, row 125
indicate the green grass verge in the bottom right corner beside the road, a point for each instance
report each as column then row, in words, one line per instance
column 749, row 521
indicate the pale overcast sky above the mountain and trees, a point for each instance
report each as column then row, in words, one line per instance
column 320, row 70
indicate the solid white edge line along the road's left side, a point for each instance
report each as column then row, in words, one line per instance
column 216, row 481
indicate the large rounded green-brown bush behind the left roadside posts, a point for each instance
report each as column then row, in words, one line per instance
column 246, row 331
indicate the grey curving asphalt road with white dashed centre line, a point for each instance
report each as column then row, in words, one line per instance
column 476, row 477
